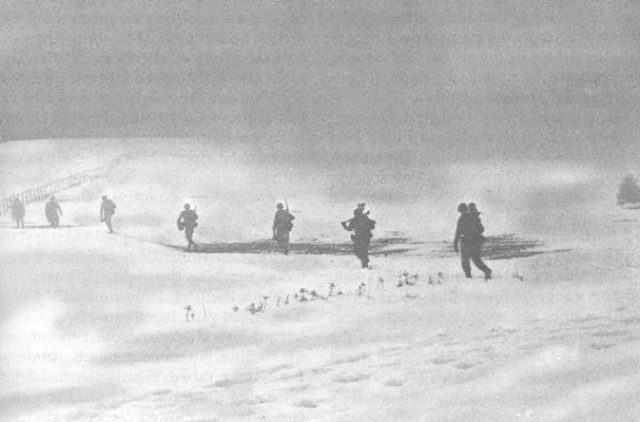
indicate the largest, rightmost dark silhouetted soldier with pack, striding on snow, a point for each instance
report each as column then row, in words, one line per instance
column 469, row 235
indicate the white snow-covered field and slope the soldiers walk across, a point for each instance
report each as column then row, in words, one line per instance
column 94, row 326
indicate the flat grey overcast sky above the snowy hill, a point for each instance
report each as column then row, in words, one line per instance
column 430, row 80
